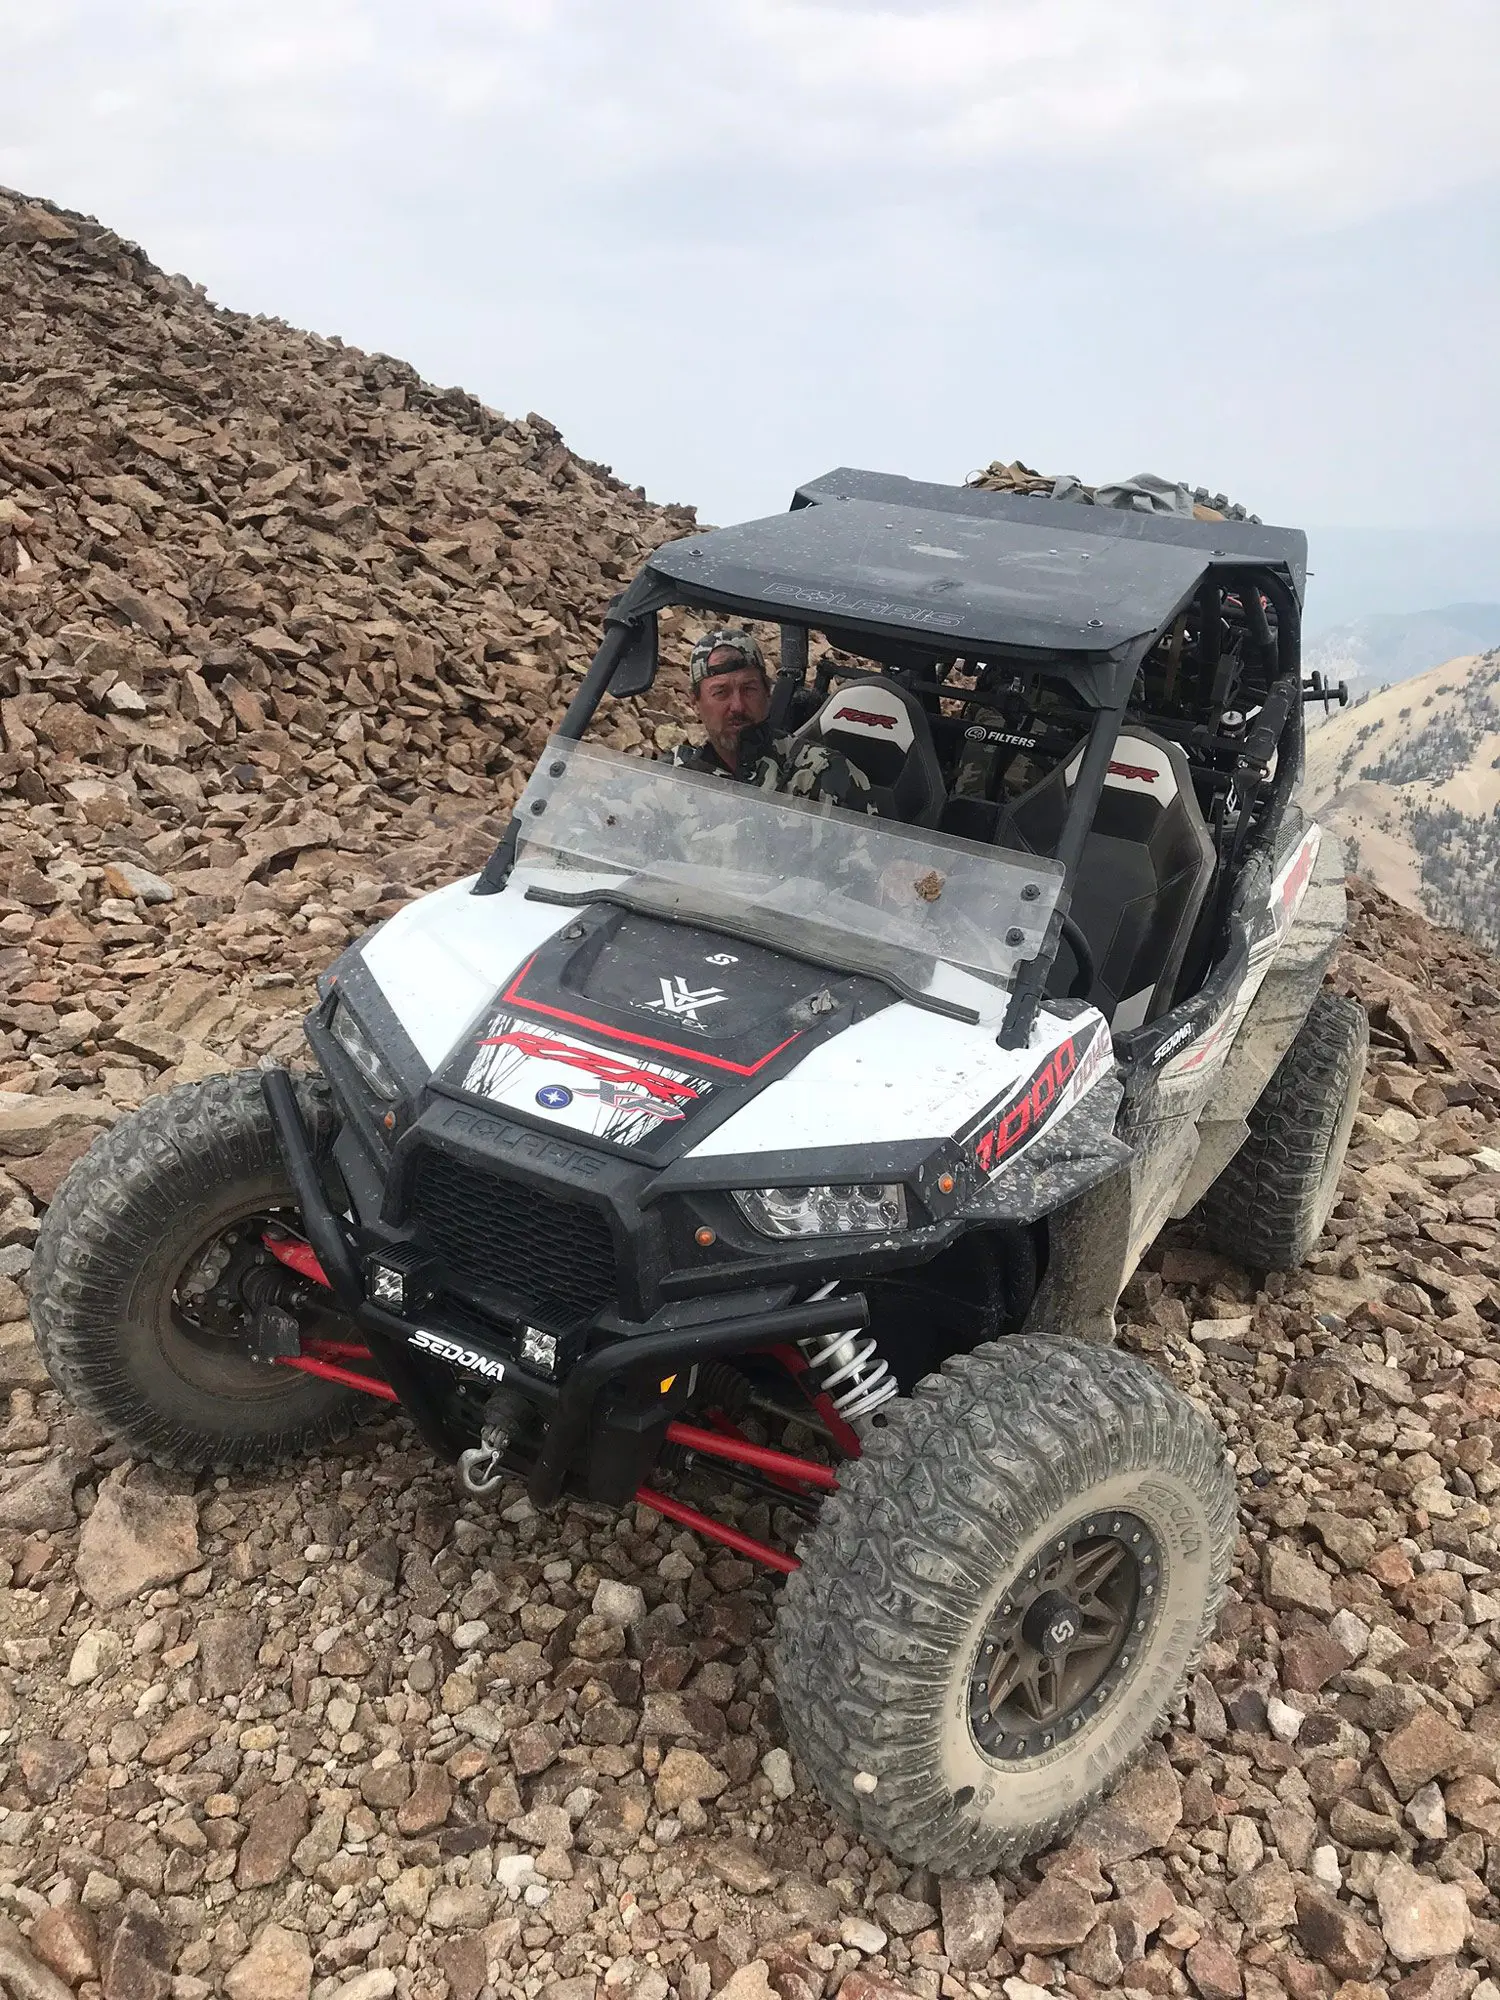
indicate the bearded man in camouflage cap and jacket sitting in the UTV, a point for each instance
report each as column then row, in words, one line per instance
column 731, row 691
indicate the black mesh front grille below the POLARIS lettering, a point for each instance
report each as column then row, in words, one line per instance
column 505, row 1237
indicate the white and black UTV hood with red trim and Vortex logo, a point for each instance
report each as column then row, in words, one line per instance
column 677, row 1043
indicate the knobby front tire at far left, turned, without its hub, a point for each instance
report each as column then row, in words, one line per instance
column 129, row 1221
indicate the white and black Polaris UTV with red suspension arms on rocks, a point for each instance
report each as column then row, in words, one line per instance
column 721, row 1131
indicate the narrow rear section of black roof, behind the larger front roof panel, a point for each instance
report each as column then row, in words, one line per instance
column 1233, row 541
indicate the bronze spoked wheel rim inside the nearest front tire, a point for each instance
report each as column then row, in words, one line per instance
column 1065, row 1635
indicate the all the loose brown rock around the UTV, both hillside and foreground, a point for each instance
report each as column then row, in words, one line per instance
column 347, row 1733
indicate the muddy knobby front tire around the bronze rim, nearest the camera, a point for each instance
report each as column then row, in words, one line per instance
column 975, row 1483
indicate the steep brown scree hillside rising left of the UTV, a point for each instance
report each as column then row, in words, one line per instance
column 281, row 631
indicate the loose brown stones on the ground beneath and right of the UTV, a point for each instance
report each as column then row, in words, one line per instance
column 349, row 1733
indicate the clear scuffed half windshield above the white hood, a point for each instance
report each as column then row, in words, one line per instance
column 701, row 845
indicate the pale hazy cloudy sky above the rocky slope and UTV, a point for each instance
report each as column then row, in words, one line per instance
column 735, row 243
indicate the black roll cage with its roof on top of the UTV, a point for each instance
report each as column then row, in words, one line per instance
column 1045, row 625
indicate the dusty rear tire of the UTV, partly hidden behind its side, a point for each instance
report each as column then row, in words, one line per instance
column 1271, row 1203
